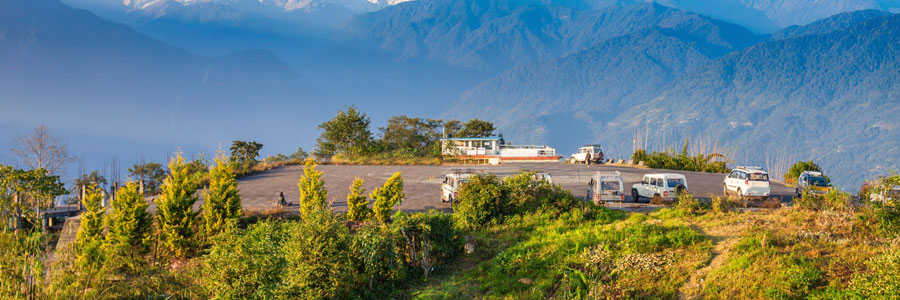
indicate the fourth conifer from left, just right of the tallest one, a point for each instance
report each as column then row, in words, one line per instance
column 222, row 202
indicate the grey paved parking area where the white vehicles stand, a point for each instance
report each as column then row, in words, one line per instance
column 422, row 183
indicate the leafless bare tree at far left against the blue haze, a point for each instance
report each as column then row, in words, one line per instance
column 42, row 150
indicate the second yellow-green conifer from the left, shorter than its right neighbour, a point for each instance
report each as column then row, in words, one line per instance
column 129, row 225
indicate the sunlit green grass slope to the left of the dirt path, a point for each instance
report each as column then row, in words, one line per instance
column 569, row 257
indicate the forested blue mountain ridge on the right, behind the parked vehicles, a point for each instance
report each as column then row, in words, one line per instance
column 826, row 91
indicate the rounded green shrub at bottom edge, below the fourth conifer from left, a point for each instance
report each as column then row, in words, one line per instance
column 247, row 264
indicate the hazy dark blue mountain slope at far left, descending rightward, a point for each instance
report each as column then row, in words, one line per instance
column 79, row 73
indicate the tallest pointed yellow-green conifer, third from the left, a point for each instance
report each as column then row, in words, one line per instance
column 175, row 215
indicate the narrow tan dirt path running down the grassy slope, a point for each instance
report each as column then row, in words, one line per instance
column 724, row 238
